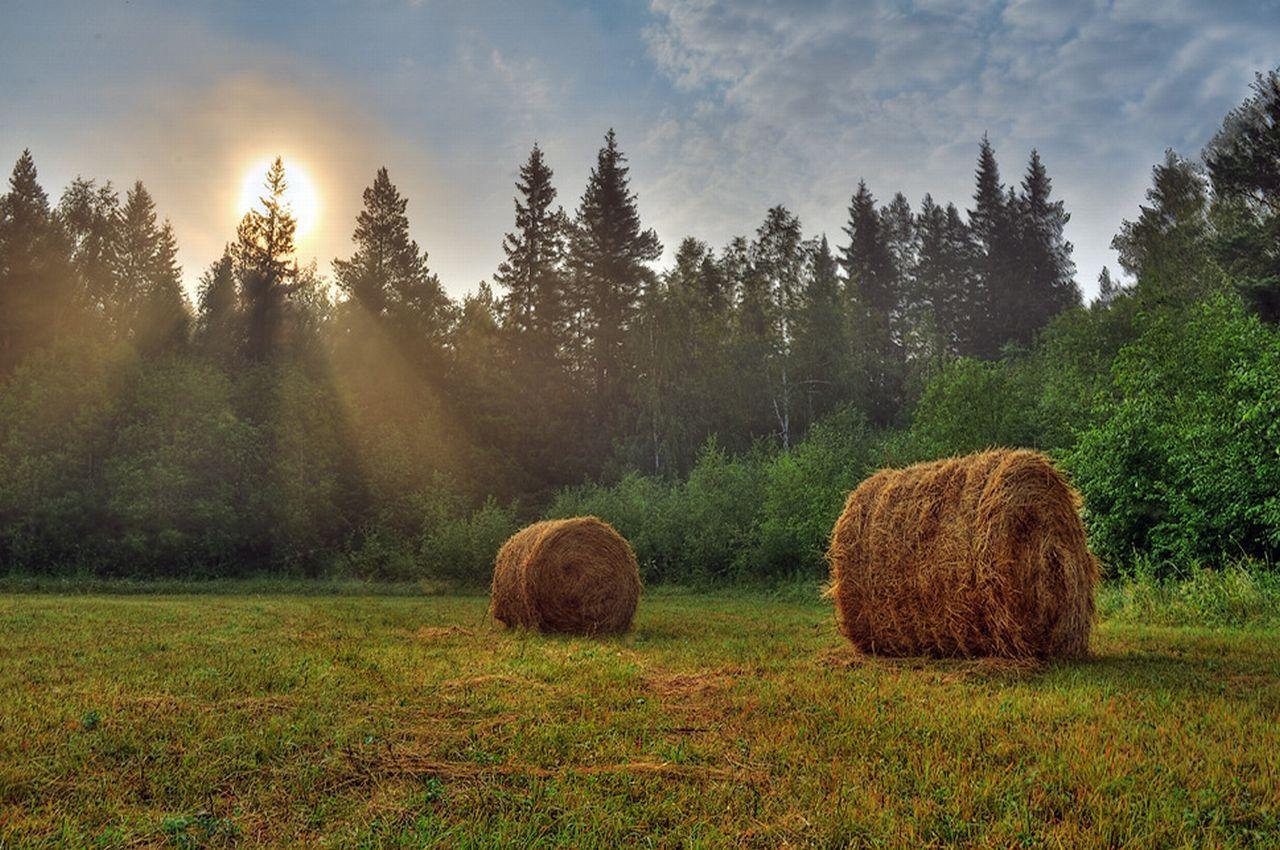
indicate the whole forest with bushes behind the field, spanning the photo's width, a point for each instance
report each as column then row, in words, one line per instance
column 358, row 422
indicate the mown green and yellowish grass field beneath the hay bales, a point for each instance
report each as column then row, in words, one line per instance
column 732, row 720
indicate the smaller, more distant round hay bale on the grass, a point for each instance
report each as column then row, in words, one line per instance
column 575, row 575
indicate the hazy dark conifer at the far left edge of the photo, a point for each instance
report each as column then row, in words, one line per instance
column 36, row 281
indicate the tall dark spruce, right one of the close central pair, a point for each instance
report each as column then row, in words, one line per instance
column 610, row 257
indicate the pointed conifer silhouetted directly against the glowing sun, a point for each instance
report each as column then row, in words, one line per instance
column 266, row 266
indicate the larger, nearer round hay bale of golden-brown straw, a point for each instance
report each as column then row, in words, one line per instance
column 972, row 556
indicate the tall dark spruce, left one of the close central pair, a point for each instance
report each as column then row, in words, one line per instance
column 533, row 273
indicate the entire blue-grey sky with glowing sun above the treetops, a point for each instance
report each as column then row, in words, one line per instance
column 724, row 109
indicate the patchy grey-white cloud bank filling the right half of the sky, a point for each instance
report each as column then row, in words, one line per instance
column 798, row 102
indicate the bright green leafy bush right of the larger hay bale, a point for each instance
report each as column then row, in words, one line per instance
column 1185, row 464
